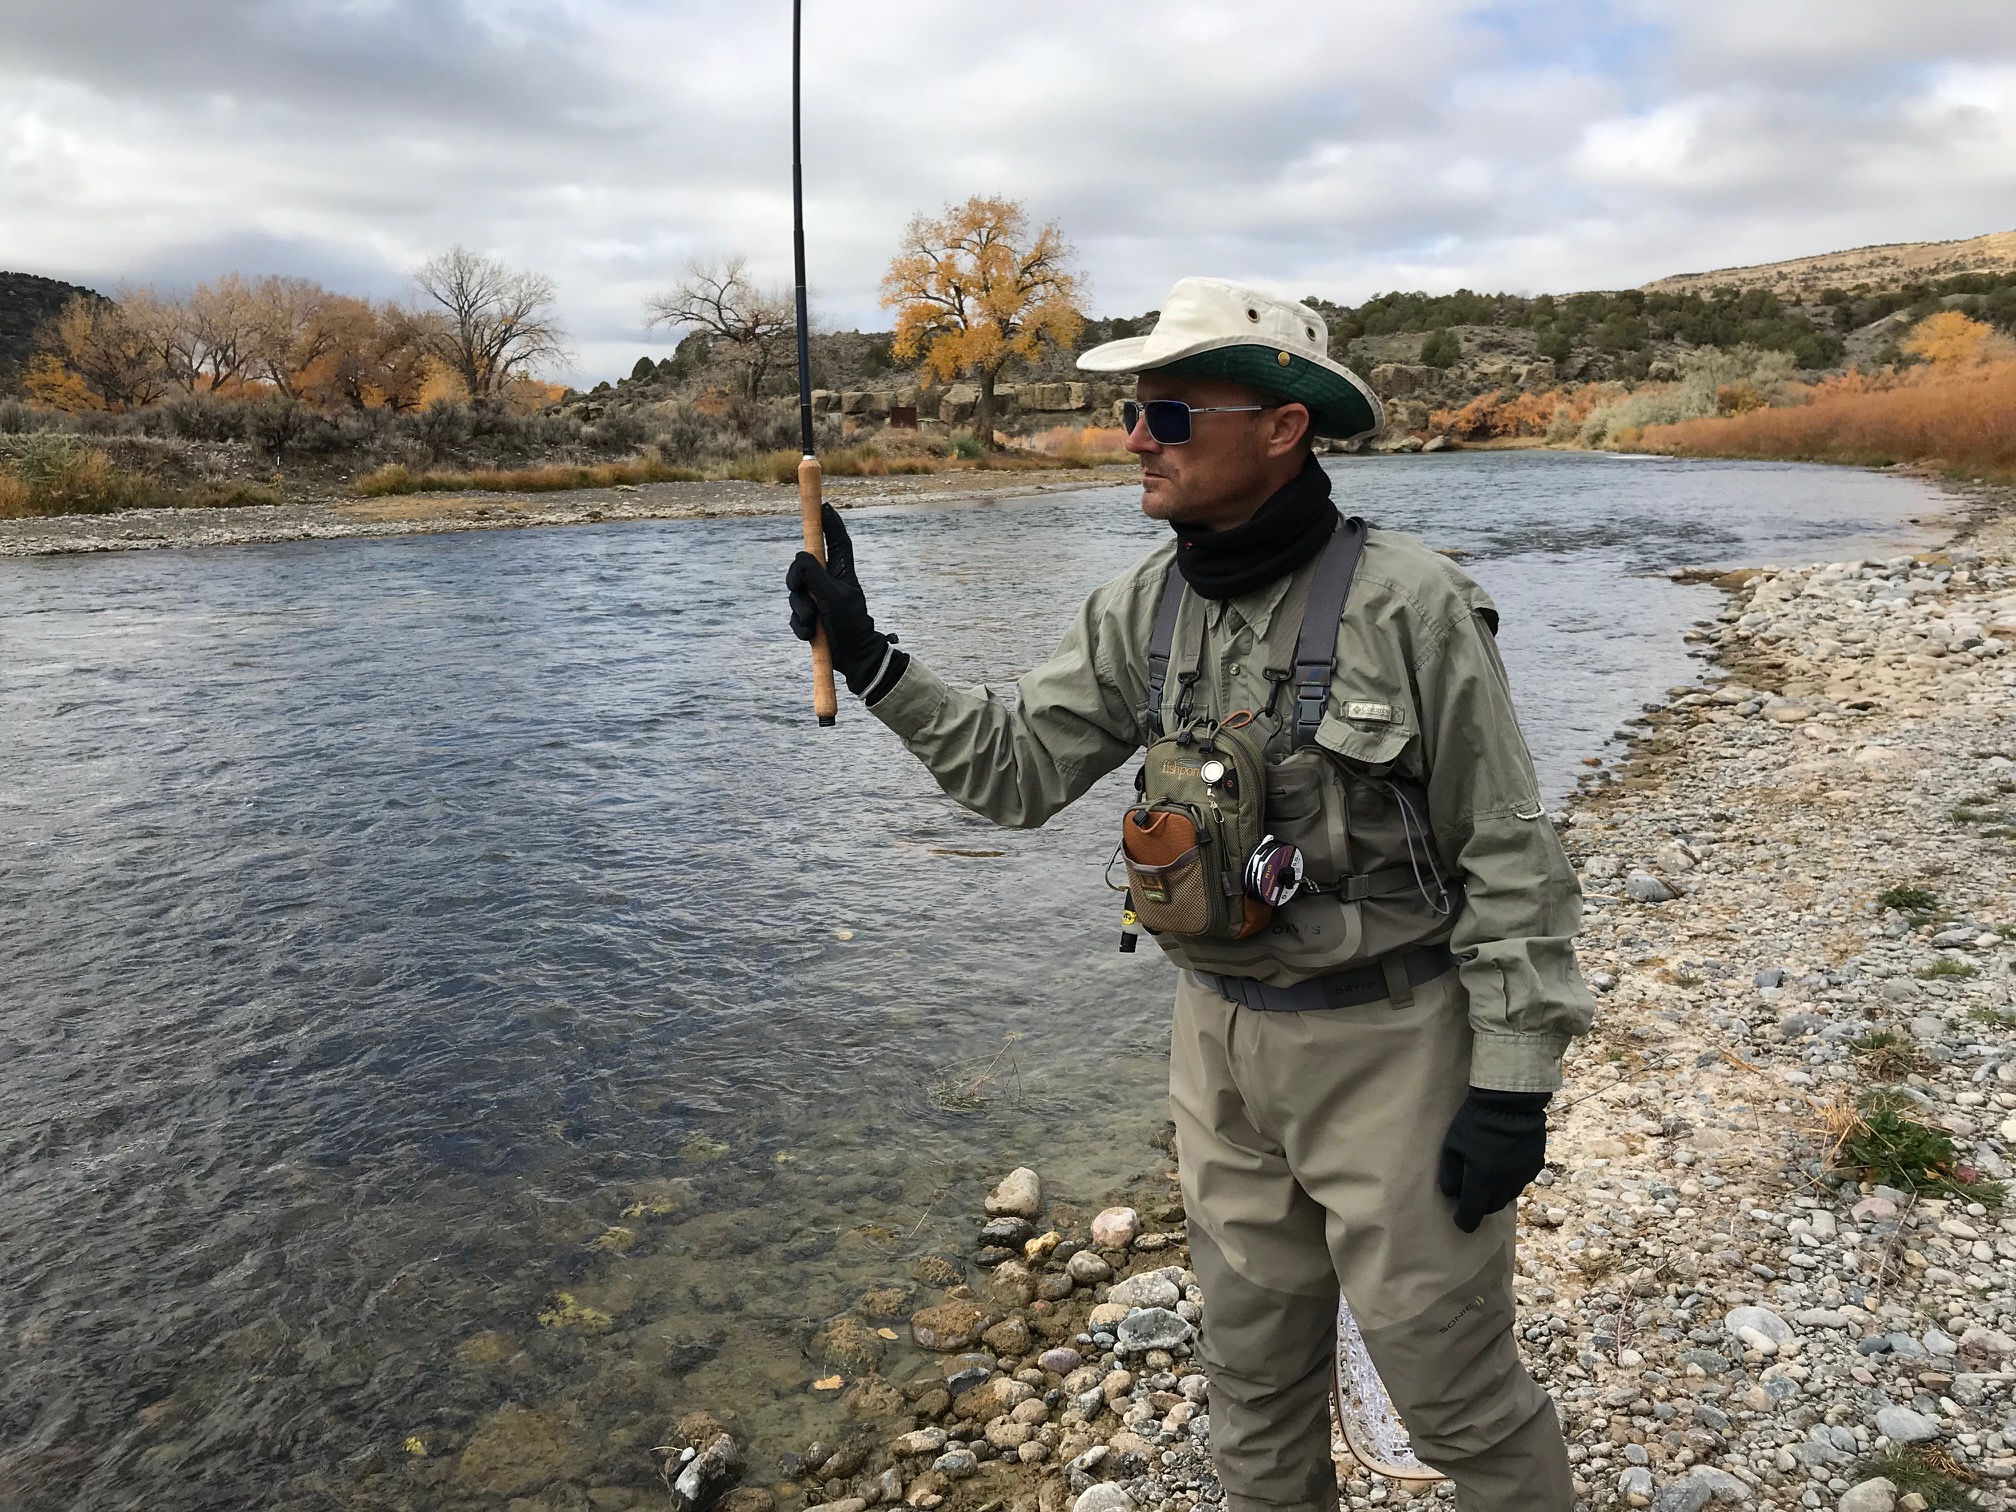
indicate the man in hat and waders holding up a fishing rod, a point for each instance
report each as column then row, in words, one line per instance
column 1360, row 1090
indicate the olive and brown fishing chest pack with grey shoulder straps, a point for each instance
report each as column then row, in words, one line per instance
column 1253, row 868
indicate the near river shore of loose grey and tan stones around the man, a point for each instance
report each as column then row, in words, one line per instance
column 1803, row 932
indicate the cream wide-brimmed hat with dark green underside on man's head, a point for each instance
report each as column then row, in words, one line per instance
column 1213, row 328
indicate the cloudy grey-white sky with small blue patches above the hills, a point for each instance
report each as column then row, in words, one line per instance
column 1313, row 146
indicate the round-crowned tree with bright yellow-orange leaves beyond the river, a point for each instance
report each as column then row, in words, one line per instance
column 975, row 291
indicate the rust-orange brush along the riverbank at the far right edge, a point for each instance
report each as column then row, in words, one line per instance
column 1957, row 418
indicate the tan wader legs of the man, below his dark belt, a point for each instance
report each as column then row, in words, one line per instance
column 1309, row 1150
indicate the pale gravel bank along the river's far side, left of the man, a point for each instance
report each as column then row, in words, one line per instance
column 404, row 515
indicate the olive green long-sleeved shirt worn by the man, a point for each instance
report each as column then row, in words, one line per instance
column 1418, row 688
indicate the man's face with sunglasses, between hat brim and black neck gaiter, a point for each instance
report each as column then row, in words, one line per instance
column 1231, row 463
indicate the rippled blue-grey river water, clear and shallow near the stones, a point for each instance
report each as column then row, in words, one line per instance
column 386, row 916
